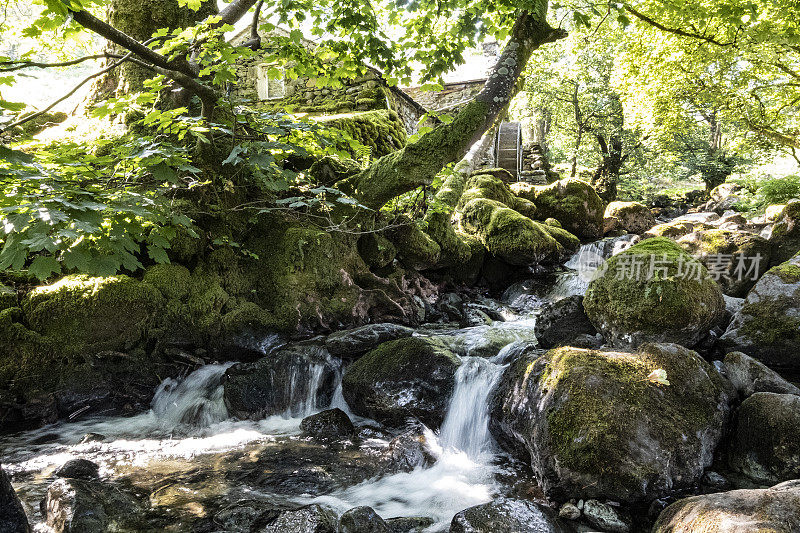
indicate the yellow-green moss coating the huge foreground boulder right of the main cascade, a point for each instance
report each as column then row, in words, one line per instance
column 607, row 400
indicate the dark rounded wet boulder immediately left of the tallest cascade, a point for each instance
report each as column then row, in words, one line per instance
column 406, row 378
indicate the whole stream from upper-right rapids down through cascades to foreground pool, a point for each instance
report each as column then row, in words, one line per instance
column 189, row 458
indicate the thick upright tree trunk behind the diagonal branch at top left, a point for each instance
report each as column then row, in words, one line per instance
column 140, row 19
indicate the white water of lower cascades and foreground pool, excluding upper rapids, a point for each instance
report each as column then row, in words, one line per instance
column 188, row 429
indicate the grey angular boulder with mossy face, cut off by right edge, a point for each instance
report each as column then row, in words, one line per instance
column 767, row 326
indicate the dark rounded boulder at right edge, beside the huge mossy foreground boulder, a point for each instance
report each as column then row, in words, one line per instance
column 766, row 438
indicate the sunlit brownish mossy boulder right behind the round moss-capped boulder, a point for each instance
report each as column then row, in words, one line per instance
column 729, row 256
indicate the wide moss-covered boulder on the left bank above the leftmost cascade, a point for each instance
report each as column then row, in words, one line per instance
column 93, row 313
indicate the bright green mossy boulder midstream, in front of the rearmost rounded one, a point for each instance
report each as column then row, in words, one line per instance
column 512, row 237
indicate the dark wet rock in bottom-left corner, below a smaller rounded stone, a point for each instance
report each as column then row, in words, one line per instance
column 80, row 506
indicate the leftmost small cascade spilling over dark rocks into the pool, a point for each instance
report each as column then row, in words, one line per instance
column 195, row 401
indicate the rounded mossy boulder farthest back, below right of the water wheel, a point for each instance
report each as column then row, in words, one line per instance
column 574, row 203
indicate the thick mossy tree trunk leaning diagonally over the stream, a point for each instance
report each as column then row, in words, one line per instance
column 418, row 163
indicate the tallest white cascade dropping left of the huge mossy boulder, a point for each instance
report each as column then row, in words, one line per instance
column 466, row 426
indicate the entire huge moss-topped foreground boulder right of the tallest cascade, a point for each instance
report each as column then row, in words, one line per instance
column 600, row 424
